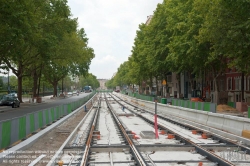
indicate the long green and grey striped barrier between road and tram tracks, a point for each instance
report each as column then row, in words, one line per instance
column 17, row 129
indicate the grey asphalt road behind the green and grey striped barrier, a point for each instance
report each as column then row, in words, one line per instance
column 7, row 112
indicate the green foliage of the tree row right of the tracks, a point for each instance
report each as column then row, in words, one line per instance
column 192, row 36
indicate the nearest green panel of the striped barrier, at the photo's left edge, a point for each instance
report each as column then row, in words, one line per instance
column 6, row 131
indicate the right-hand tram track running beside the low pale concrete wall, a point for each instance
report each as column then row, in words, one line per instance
column 204, row 149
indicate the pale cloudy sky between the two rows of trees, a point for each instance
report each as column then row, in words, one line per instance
column 111, row 27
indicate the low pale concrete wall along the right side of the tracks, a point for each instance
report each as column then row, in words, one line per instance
column 231, row 124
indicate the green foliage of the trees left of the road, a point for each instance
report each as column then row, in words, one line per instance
column 40, row 39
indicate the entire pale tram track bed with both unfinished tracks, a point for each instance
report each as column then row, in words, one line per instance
column 114, row 133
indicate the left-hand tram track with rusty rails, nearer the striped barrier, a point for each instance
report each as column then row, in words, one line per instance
column 118, row 145
